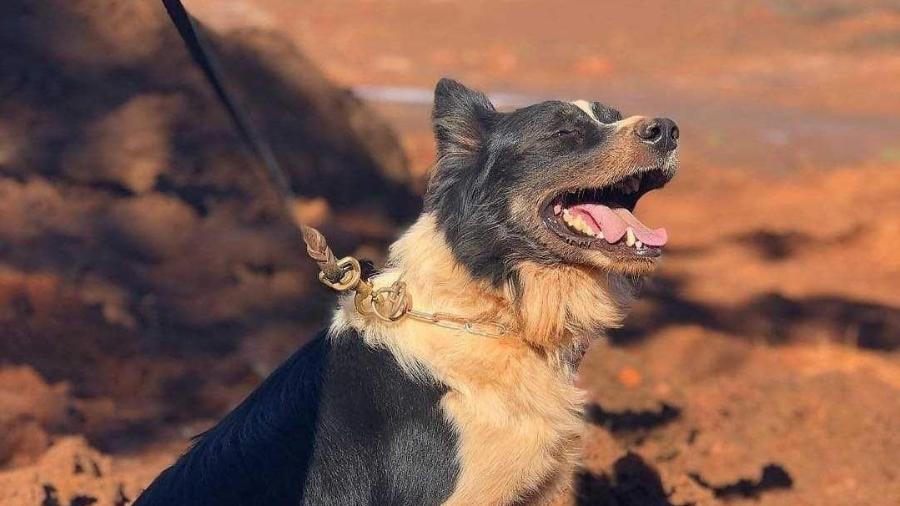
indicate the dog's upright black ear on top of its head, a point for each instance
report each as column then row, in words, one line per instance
column 461, row 118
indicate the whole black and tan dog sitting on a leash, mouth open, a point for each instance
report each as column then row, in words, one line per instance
column 528, row 223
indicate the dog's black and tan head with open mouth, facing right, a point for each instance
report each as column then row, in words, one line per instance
column 552, row 183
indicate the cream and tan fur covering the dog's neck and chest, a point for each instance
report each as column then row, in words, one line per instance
column 511, row 399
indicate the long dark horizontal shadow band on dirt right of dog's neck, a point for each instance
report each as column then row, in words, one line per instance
column 771, row 317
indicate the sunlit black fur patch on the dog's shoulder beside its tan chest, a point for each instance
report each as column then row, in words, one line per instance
column 407, row 447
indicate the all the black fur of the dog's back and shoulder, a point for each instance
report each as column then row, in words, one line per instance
column 338, row 423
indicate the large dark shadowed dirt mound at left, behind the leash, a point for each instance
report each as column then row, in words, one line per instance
column 142, row 258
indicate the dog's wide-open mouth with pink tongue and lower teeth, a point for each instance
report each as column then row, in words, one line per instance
column 602, row 219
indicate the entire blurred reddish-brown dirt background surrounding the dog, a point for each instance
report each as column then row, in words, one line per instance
column 148, row 281
